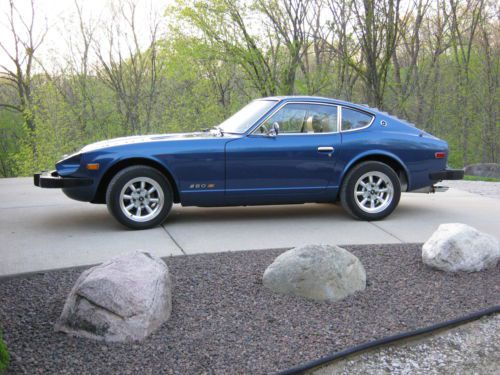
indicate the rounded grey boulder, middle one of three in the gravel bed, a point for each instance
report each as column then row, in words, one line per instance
column 318, row 272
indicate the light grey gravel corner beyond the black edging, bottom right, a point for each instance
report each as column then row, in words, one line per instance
column 472, row 348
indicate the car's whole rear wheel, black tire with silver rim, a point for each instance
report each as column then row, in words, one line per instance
column 353, row 193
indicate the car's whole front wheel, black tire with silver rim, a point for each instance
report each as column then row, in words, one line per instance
column 159, row 201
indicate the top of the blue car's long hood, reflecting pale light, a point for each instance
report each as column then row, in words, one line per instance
column 146, row 138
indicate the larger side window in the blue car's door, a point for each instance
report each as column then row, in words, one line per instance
column 303, row 118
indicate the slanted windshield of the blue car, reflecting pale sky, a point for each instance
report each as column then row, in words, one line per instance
column 242, row 120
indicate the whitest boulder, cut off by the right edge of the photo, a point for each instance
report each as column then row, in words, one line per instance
column 459, row 247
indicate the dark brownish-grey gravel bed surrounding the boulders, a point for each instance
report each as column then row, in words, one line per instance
column 225, row 322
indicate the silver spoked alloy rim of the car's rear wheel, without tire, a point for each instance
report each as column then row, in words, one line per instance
column 373, row 192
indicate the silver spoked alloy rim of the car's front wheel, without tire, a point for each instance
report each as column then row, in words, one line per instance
column 141, row 199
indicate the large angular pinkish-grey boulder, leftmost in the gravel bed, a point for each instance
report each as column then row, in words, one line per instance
column 124, row 299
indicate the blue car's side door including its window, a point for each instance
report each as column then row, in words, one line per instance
column 296, row 165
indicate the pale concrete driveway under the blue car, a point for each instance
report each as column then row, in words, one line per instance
column 42, row 229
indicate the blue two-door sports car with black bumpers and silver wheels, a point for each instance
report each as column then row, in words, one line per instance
column 277, row 150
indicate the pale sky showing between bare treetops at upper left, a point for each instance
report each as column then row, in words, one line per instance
column 59, row 17
